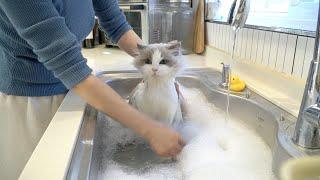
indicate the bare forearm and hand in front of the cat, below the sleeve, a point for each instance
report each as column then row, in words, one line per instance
column 163, row 140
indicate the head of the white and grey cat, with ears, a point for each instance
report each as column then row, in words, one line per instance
column 159, row 60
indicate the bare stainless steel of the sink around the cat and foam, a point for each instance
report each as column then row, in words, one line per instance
column 273, row 124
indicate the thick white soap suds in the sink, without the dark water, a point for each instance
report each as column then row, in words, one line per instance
column 214, row 150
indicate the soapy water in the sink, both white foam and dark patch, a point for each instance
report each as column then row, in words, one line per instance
column 214, row 150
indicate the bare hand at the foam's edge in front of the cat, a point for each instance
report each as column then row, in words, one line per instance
column 165, row 141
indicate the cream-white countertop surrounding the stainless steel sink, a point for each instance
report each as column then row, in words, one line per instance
column 51, row 157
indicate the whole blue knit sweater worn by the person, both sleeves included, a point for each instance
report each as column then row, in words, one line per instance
column 40, row 42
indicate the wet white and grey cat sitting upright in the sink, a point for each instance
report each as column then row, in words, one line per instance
column 158, row 94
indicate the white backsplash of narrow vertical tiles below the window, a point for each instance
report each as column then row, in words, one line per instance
column 286, row 53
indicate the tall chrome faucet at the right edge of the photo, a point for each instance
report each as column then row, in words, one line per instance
column 307, row 130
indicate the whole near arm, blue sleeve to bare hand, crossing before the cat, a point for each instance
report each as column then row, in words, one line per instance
column 60, row 52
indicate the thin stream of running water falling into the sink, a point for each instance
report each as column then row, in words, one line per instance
column 234, row 31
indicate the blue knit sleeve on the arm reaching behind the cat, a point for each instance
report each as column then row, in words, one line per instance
column 111, row 18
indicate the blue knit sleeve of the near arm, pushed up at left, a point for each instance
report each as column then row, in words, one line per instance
column 39, row 23
